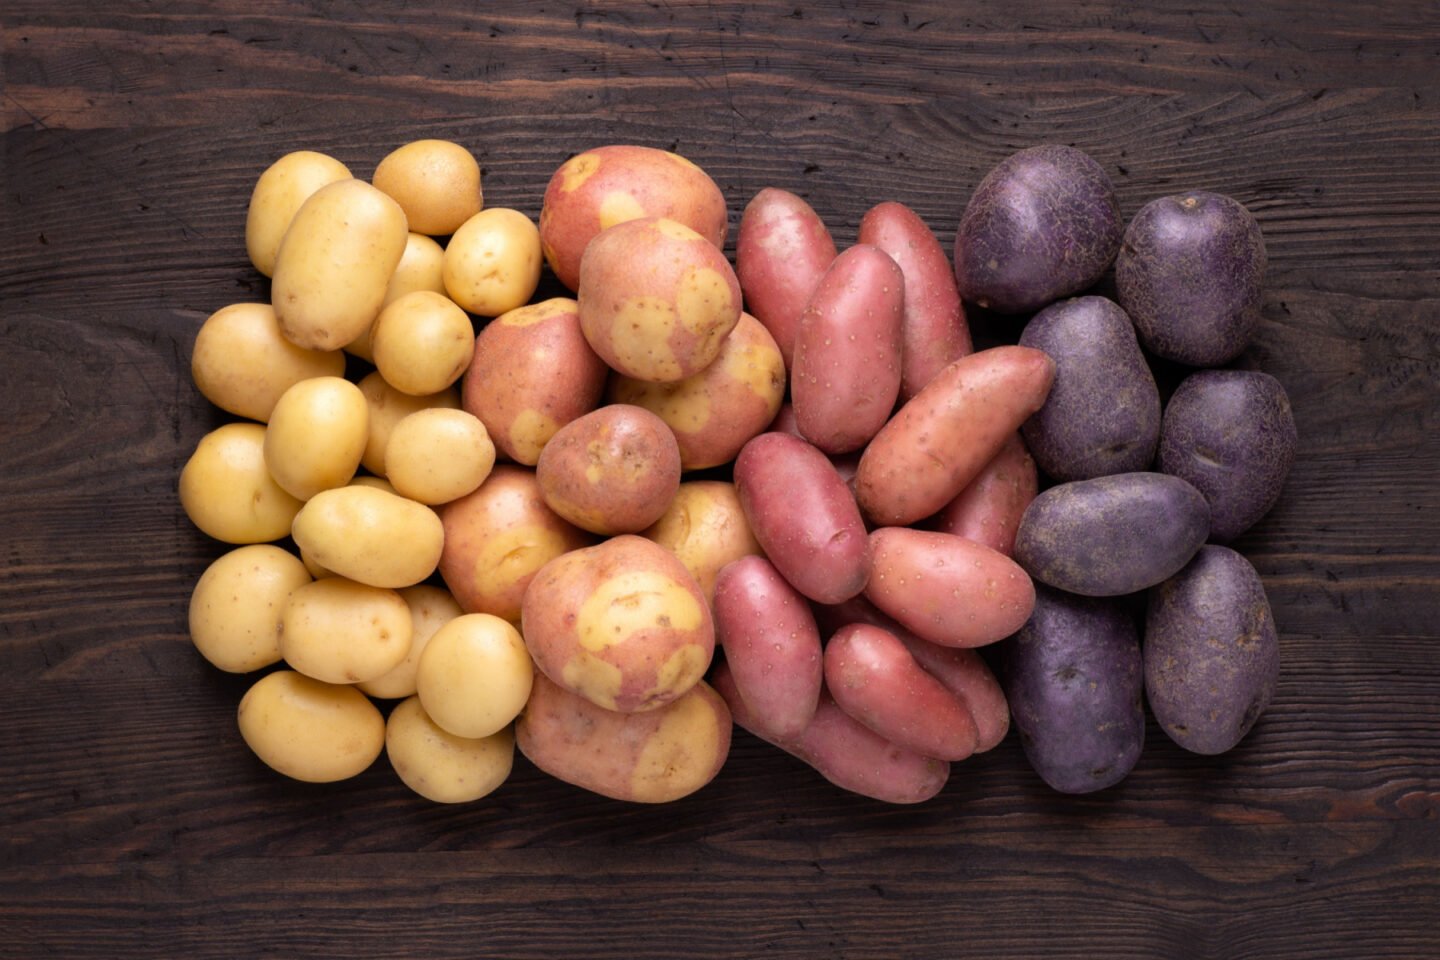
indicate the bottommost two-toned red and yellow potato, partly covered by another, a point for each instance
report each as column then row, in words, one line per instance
column 652, row 758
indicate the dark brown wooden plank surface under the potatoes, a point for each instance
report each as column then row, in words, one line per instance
column 133, row 821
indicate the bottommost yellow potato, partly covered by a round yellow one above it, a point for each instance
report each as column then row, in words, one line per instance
column 441, row 766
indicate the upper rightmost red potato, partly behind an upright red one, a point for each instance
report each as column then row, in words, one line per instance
column 934, row 332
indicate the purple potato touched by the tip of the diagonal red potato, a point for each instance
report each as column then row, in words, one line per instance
column 1104, row 412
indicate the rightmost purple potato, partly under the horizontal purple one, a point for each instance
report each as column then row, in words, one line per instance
column 1232, row 437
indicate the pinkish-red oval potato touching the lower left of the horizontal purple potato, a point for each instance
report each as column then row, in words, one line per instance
column 947, row 589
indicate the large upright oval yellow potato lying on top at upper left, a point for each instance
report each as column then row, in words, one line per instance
column 335, row 264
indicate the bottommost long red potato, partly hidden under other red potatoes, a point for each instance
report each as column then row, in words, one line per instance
column 846, row 752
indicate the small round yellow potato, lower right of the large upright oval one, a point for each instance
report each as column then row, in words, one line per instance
column 423, row 343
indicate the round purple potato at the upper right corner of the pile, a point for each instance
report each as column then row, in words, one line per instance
column 1190, row 274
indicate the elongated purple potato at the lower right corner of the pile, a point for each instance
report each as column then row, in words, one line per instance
column 1212, row 654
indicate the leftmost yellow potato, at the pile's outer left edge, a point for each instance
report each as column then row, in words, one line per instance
column 228, row 492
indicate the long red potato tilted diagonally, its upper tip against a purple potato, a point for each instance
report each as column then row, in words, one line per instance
column 945, row 435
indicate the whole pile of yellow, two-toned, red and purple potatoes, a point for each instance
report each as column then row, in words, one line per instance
column 536, row 523
